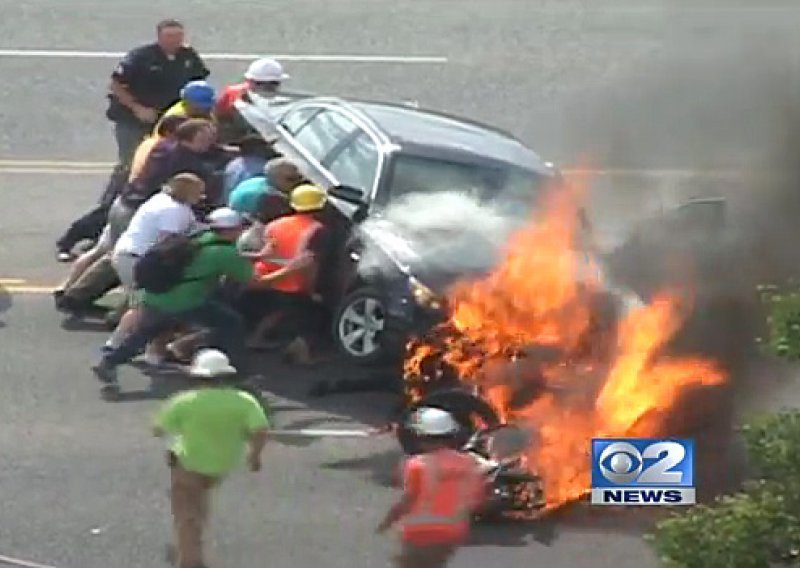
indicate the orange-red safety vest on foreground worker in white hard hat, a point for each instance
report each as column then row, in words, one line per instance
column 451, row 485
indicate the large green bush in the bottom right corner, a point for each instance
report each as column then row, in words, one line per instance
column 754, row 528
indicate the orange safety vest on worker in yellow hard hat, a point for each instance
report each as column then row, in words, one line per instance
column 289, row 237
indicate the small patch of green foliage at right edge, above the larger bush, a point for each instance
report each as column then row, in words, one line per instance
column 783, row 321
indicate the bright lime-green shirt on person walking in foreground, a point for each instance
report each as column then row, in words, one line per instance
column 211, row 427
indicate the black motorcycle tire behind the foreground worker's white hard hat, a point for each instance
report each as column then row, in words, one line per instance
column 462, row 404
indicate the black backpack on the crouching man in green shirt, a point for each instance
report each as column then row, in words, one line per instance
column 163, row 266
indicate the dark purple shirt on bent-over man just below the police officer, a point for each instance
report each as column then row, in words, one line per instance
column 166, row 159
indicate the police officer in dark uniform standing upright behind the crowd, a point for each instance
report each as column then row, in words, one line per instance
column 144, row 84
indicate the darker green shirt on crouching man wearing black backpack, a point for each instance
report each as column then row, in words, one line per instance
column 212, row 262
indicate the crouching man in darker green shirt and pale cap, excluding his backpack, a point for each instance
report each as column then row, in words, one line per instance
column 192, row 300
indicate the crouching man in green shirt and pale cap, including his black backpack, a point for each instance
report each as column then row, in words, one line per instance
column 178, row 279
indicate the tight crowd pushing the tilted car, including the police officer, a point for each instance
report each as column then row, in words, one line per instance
column 227, row 209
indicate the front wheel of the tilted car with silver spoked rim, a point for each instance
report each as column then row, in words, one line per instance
column 367, row 302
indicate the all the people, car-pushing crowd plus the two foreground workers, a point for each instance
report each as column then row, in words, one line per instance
column 213, row 236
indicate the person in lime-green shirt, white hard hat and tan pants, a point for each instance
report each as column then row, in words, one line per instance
column 212, row 427
